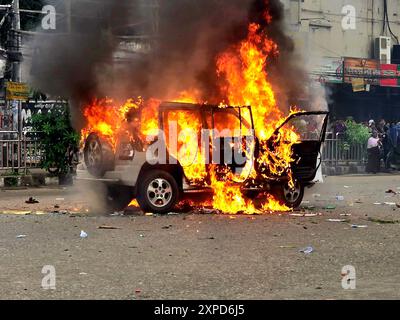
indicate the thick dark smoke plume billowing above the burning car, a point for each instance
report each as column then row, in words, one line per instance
column 82, row 64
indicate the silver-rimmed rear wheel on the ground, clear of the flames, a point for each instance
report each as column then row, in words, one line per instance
column 158, row 192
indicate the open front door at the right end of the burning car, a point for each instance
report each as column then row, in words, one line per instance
column 311, row 127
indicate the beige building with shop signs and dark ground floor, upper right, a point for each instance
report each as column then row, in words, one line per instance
column 353, row 53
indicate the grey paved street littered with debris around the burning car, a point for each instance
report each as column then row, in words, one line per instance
column 199, row 256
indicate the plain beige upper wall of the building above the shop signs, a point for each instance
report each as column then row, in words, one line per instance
column 316, row 26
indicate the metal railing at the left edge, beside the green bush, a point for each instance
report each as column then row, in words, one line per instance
column 19, row 153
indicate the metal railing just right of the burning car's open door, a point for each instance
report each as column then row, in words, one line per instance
column 336, row 151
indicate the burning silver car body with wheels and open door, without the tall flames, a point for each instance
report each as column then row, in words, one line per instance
column 203, row 148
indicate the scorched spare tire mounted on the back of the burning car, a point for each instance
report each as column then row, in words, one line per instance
column 99, row 156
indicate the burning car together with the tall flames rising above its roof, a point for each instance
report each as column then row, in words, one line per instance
column 232, row 140
